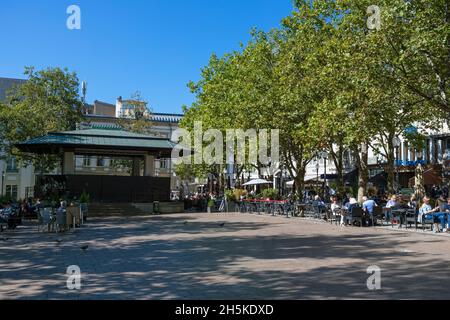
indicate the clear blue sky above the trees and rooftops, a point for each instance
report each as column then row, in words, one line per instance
column 154, row 46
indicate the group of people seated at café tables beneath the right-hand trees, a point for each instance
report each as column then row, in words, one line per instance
column 440, row 214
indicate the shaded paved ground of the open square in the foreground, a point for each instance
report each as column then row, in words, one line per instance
column 191, row 256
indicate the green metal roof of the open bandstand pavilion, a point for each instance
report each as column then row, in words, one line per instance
column 96, row 138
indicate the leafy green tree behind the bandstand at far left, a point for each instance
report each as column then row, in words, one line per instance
column 48, row 101
